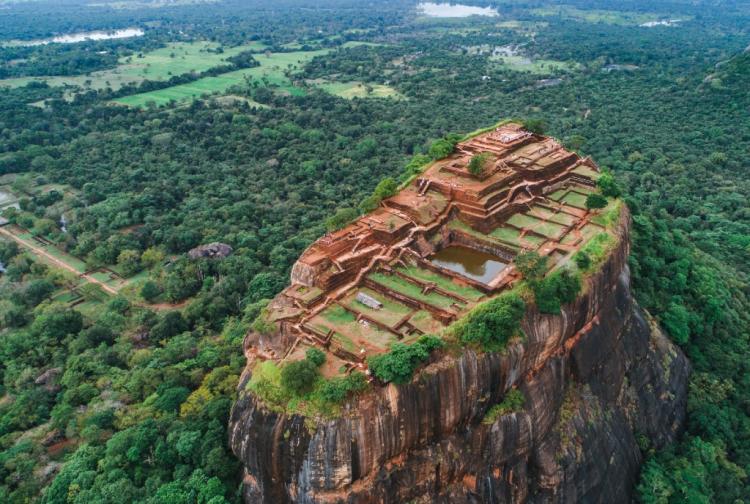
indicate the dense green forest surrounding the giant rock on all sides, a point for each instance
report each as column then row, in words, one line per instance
column 119, row 389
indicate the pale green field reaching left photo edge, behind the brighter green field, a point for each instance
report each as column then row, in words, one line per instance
column 175, row 59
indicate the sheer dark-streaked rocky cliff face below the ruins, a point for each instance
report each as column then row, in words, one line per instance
column 600, row 380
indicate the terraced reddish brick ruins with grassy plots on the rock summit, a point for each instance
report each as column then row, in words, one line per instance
column 357, row 290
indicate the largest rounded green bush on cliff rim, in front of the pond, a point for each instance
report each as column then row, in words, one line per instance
column 493, row 323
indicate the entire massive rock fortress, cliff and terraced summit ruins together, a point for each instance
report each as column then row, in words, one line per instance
column 590, row 380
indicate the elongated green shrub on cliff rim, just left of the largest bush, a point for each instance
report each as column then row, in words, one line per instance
column 398, row 365
